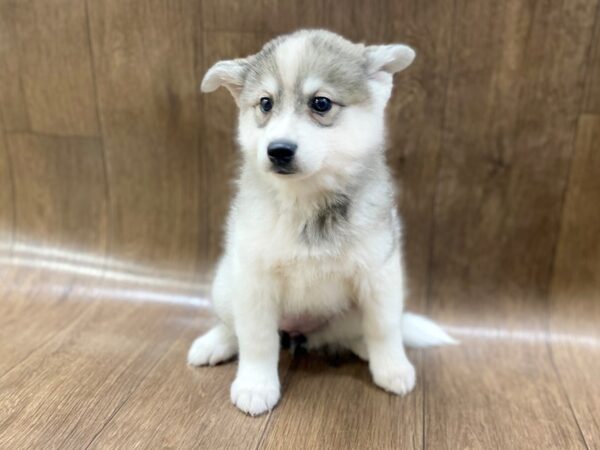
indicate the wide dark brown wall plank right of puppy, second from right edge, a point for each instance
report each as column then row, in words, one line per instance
column 505, row 161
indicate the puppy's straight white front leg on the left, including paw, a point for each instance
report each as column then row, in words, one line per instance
column 256, row 386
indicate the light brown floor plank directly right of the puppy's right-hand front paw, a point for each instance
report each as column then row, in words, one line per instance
column 496, row 391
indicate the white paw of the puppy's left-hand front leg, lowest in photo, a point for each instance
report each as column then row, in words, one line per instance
column 255, row 396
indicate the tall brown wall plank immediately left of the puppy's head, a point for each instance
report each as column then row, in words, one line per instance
column 144, row 55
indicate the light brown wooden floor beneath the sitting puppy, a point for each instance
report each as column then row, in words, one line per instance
column 90, row 362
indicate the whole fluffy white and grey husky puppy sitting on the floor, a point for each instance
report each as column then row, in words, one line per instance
column 313, row 241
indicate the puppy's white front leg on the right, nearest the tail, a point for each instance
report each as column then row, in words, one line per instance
column 381, row 299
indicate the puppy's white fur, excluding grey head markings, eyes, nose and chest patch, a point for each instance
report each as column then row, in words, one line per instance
column 355, row 281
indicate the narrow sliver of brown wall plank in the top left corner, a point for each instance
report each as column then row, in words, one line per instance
column 13, row 105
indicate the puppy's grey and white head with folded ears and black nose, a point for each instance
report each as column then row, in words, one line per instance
column 311, row 103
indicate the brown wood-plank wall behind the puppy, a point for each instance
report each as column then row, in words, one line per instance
column 107, row 147
